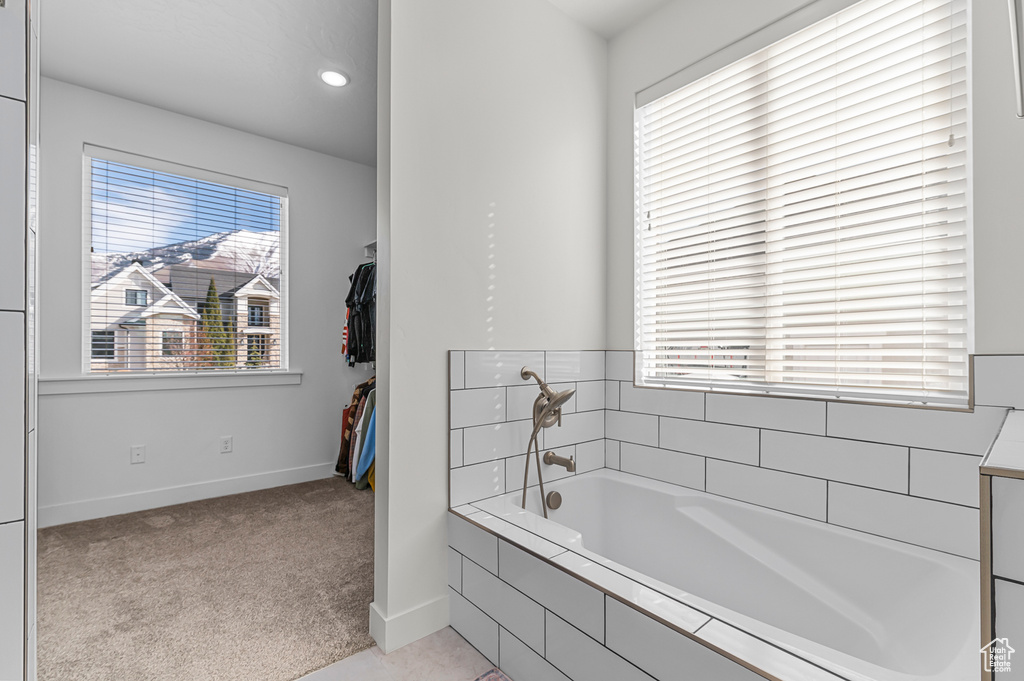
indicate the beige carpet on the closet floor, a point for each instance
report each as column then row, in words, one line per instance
column 265, row 586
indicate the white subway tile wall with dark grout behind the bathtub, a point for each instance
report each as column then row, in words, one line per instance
column 885, row 471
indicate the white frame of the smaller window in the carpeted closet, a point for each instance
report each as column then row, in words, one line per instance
column 205, row 377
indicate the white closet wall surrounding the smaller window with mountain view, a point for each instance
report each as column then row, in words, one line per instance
column 282, row 434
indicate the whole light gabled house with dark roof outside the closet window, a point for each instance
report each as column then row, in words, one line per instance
column 153, row 322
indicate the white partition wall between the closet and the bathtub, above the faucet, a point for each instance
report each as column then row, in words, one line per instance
column 496, row 236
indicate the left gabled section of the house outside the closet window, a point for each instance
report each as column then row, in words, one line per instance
column 138, row 323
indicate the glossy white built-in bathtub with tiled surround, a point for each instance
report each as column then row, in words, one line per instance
column 862, row 607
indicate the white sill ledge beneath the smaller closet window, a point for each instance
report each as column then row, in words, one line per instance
column 92, row 385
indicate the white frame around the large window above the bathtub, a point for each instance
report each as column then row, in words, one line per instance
column 773, row 33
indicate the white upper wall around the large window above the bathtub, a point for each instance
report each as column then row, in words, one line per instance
column 686, row 31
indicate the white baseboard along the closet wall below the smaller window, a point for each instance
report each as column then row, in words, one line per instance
column 60, row 515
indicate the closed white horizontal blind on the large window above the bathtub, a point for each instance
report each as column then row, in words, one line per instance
column 802, row 214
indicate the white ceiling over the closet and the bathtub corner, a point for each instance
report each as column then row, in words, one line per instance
column 250, row 65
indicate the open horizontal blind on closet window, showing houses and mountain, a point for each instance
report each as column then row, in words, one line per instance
column 185, row 274
